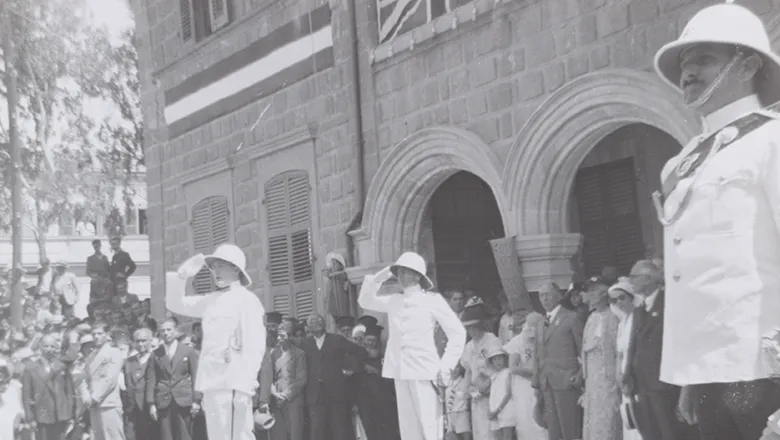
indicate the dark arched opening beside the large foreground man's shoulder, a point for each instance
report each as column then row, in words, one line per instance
column 611, row 203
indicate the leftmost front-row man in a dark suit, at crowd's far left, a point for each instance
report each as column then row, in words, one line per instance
column 48, row 396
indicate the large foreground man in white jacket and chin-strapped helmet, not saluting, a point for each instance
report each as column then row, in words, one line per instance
column 721, row 211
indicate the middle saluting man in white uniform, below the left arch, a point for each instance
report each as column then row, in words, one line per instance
column 411, row 357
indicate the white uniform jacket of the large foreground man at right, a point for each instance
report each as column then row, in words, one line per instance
column 722, row 262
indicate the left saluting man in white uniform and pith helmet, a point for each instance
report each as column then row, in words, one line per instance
column 233, row 343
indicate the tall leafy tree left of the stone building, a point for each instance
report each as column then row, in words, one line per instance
column 72, row 82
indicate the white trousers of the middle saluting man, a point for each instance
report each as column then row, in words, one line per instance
column 419, row 410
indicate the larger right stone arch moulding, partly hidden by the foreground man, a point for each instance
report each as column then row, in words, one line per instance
column 554, row 141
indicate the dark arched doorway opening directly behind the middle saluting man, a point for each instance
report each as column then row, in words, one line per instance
column 463, row 217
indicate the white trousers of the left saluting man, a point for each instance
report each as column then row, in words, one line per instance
column 228, row 415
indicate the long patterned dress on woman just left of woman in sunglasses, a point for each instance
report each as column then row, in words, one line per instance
column 602, row 397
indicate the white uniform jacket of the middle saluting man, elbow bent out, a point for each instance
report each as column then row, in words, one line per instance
column 411, row 351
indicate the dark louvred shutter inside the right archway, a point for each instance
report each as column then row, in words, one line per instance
column 609, row 216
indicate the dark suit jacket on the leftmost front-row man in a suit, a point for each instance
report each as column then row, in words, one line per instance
column 48, row 398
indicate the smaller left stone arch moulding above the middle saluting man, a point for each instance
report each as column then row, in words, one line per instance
column 408, row 177
